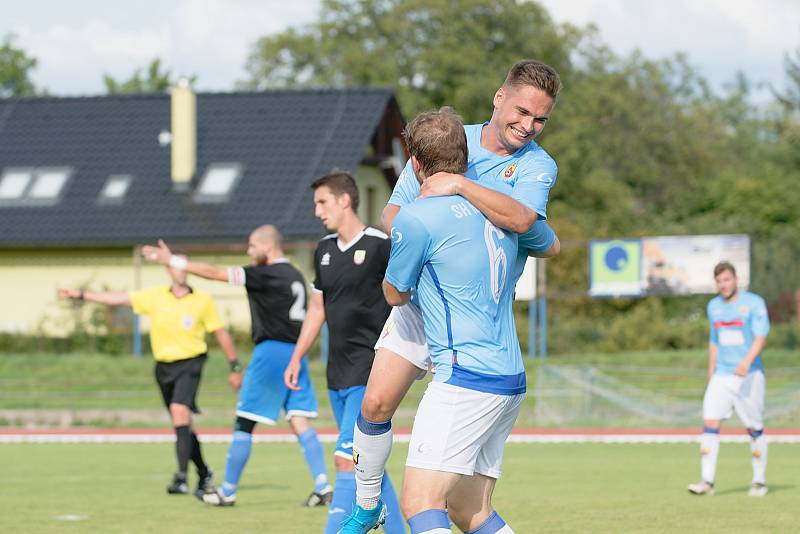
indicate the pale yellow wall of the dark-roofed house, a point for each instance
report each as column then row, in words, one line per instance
column 29, row 277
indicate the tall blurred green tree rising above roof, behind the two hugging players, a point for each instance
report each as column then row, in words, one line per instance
column 433, row 52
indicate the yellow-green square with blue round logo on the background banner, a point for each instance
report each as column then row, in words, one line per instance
column 615, row 267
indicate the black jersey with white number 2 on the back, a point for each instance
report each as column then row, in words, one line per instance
column 277, row 297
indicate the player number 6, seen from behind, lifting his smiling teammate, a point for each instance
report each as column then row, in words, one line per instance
column 463, row 269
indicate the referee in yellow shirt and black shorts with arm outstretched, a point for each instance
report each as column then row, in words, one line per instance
column 180, row 317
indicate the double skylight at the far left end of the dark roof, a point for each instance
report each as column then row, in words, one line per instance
column 42, row 186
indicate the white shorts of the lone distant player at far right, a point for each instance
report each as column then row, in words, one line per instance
column 726, row 393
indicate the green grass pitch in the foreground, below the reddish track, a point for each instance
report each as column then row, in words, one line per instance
column 546, row 488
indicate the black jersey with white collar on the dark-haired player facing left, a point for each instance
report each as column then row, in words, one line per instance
column 350, row 276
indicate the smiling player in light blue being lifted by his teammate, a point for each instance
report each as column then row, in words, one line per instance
column 504, row 148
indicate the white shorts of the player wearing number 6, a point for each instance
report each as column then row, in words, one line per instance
column 459, row 430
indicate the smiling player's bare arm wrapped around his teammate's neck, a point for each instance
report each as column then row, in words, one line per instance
column 502, row 210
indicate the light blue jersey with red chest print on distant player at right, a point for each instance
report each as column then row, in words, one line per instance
column 734, row 325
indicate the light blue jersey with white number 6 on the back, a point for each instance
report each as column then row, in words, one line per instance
column 464, row 270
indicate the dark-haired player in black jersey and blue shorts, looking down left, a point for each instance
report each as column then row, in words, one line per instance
column 349, row 267
